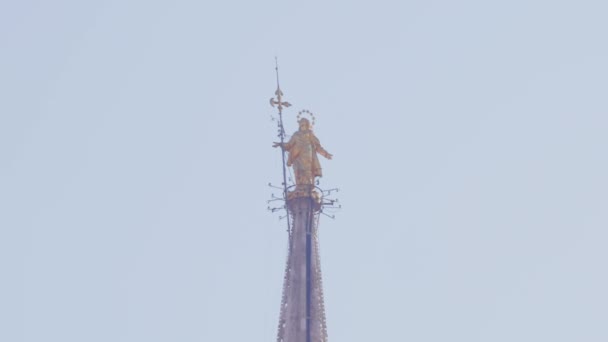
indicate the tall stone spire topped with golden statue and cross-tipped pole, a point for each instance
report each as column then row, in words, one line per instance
column 302, row 314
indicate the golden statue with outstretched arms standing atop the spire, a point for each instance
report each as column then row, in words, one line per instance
column 303, row 148
